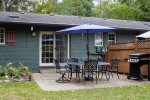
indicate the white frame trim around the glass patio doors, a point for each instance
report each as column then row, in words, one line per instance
column 40, row 47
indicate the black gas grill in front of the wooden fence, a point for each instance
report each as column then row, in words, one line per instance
column 136, row 60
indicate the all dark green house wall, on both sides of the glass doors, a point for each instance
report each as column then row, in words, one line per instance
column 26, row 48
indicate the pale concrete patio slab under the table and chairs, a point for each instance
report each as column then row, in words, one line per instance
column 48, row 82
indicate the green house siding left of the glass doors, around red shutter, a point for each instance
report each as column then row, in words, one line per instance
column 25, row 50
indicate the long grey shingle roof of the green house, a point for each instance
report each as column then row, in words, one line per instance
column 48, row 19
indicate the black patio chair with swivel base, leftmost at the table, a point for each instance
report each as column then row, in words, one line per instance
column 62, row 71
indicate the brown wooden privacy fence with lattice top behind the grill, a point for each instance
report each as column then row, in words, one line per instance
column 123, row 50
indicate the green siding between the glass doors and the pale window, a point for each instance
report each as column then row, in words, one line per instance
column 78, row 45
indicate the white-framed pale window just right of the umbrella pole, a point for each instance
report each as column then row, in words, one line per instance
column 99, row 39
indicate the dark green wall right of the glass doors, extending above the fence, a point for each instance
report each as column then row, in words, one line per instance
column 79, row 41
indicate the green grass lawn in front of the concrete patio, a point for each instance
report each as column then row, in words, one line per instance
column 31, row 91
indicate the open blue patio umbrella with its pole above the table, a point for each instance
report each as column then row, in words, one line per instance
column 87, row 29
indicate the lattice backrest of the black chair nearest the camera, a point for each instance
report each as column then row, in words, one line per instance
column 90, row 65
